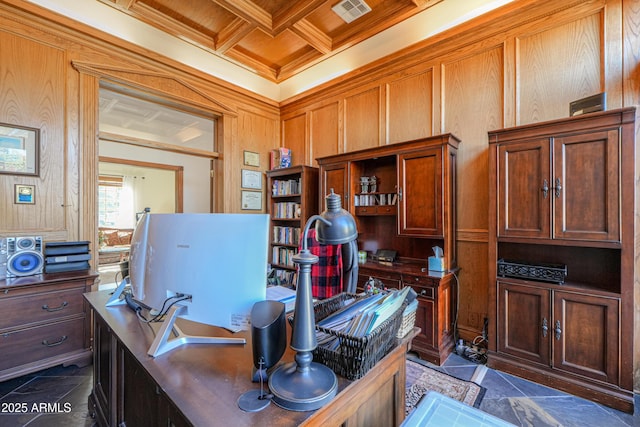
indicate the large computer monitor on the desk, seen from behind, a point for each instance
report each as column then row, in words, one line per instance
column 218, row 262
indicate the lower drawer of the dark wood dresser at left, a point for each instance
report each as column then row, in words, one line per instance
column 33, row 344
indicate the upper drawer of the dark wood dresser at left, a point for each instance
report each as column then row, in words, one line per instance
column 30, row 309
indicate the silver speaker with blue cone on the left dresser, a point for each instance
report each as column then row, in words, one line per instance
column 24, row 256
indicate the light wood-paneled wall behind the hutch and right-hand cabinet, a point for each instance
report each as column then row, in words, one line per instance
column 521, row 64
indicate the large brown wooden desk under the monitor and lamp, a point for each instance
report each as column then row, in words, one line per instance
column 200, row 384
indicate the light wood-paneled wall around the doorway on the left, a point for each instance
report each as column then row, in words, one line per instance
column 51, row 71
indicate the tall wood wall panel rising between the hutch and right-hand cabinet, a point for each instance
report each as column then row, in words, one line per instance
column 479, row 78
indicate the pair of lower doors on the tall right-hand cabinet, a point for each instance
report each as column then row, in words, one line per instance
column 568, row 330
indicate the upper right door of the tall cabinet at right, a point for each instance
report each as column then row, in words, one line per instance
column 587, row 202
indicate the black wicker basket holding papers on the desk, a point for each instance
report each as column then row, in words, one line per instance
column 355, row 355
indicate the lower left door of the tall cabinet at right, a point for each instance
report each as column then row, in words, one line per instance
column 523, row 313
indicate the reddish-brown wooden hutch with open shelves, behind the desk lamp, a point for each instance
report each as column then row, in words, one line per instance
column 410, row 210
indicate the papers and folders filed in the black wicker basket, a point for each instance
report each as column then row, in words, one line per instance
column 361, row 317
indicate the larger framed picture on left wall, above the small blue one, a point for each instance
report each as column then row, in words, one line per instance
column 19, row 150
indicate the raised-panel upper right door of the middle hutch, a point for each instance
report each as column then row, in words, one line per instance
column 420, row 179
